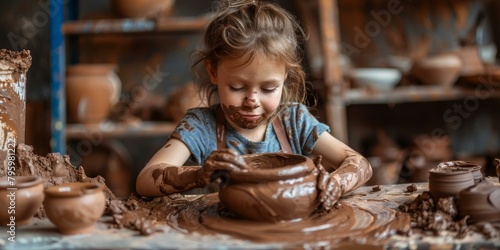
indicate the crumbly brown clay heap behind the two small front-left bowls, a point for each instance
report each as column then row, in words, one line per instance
column 55, row 169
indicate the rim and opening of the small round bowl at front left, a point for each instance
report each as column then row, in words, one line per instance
column 73, row 189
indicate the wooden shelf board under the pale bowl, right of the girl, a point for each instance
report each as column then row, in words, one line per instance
column 406, row 94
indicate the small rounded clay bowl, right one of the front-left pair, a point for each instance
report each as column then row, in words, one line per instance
column 74, row 207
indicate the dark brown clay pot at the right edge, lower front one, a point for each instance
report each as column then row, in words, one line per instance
column 481, row 203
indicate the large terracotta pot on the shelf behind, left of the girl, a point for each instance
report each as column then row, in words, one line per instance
column 91, row 92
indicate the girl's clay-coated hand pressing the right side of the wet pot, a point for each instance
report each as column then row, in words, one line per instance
column 330, row 189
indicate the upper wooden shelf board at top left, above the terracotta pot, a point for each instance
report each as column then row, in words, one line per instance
column 135, row 25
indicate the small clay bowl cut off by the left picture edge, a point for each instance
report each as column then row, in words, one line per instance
column 20, row 200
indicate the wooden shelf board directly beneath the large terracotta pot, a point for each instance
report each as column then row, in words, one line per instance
column 111, row 129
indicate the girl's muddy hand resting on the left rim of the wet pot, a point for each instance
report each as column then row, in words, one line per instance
column 226, row 160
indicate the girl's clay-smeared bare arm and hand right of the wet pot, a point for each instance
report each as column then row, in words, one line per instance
column 349, row 169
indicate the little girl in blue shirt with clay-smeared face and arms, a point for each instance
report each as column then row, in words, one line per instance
column 249, row 68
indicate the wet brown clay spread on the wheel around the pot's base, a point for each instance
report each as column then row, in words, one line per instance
column 354, row 219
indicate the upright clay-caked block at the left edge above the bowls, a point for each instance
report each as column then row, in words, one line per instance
column 13, row 68
